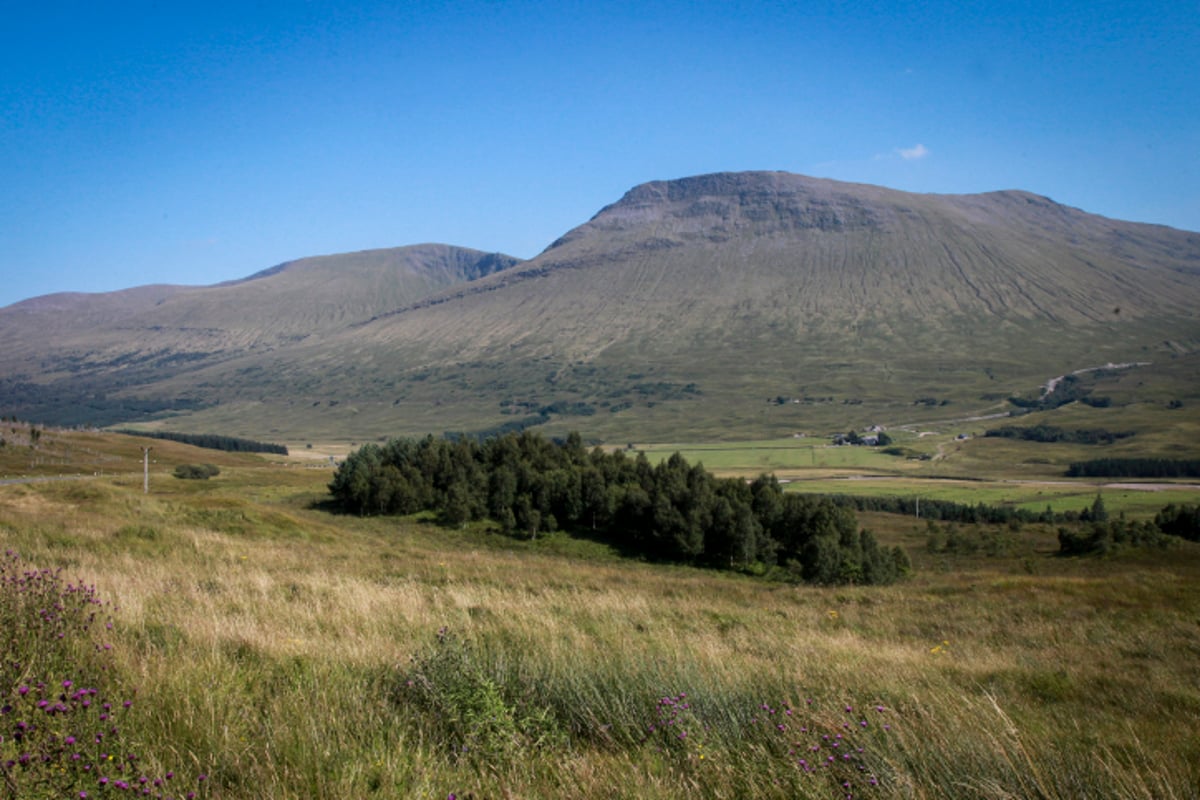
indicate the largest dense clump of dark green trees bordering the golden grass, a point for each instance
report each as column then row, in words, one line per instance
column 671, row 513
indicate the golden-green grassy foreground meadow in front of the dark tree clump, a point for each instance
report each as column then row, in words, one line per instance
column 283, row 652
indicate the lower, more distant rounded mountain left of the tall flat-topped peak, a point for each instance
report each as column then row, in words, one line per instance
column 69, row 345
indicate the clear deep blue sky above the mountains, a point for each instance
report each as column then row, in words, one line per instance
column 195, row 143
